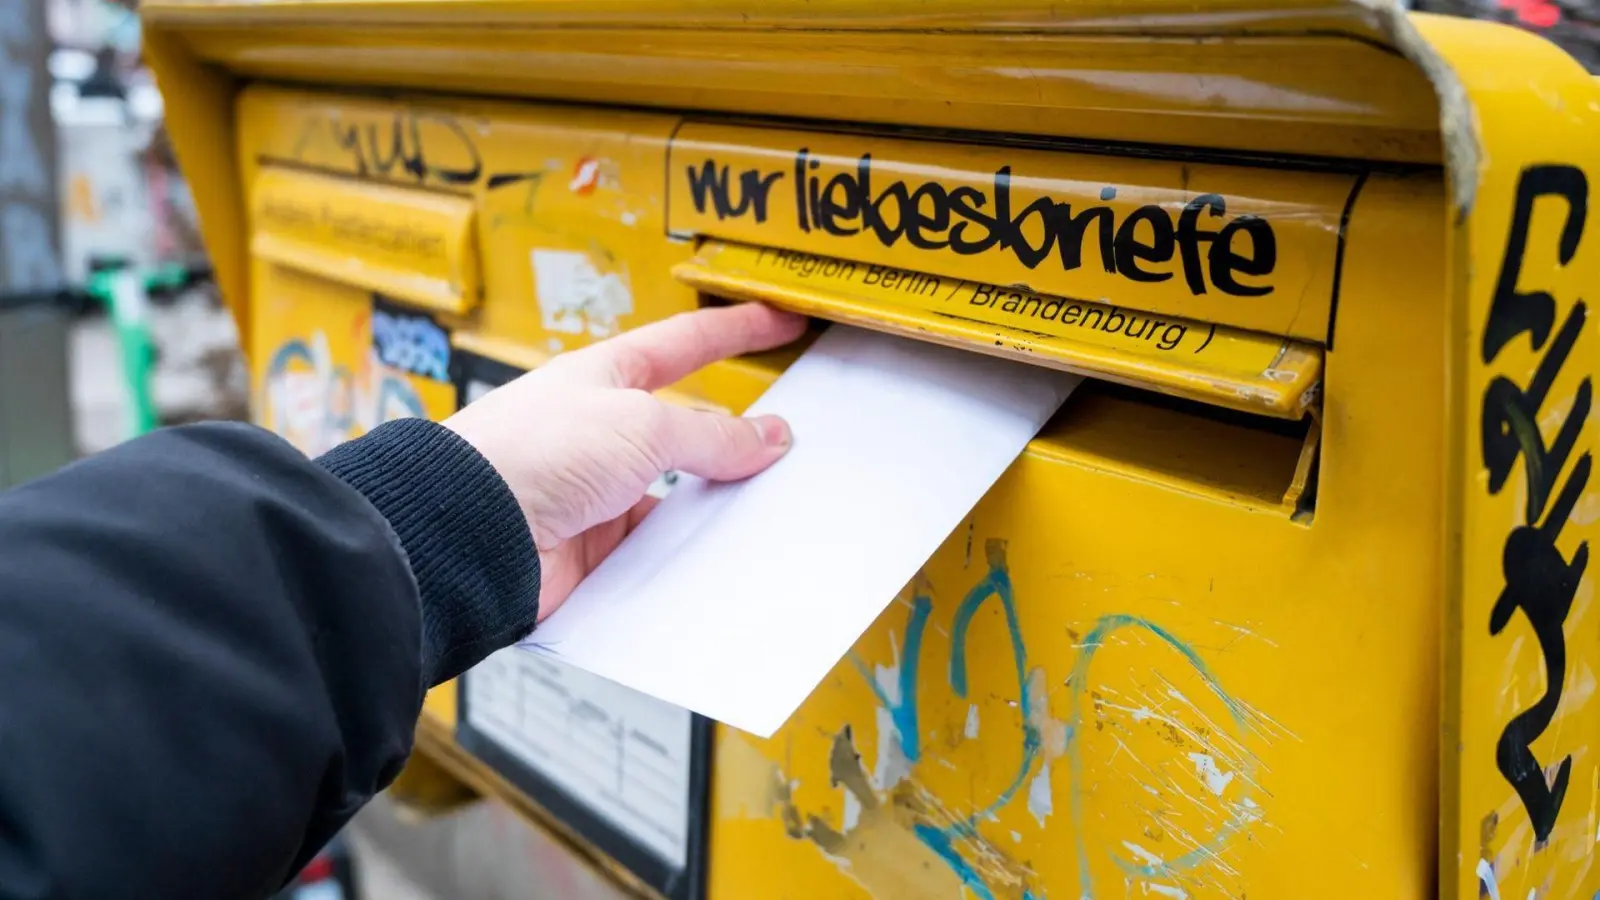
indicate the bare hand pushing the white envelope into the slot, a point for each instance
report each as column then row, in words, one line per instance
column 580, row 440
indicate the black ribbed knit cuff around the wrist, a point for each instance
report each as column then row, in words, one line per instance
column 468, row 542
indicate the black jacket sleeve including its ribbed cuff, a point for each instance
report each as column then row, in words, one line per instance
column 214, row 651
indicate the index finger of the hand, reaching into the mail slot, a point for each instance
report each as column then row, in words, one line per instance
column 663, row 353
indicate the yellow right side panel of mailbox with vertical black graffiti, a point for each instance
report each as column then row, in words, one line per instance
column 1521, row 766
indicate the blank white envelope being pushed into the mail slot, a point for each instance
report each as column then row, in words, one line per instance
column 737, row 600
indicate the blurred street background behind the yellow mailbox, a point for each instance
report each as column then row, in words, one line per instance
column 126, row 332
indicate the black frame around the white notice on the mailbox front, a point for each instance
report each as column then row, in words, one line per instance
column 687, row 883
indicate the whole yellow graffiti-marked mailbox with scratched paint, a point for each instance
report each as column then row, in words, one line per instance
column 1290, row 601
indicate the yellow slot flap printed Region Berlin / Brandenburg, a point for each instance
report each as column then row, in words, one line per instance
column 1206, row 363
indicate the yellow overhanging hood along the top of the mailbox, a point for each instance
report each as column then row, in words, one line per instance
column 1308, row 78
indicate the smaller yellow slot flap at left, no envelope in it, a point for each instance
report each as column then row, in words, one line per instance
column 414, row 246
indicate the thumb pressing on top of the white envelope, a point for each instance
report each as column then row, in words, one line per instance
column 721, row 448
